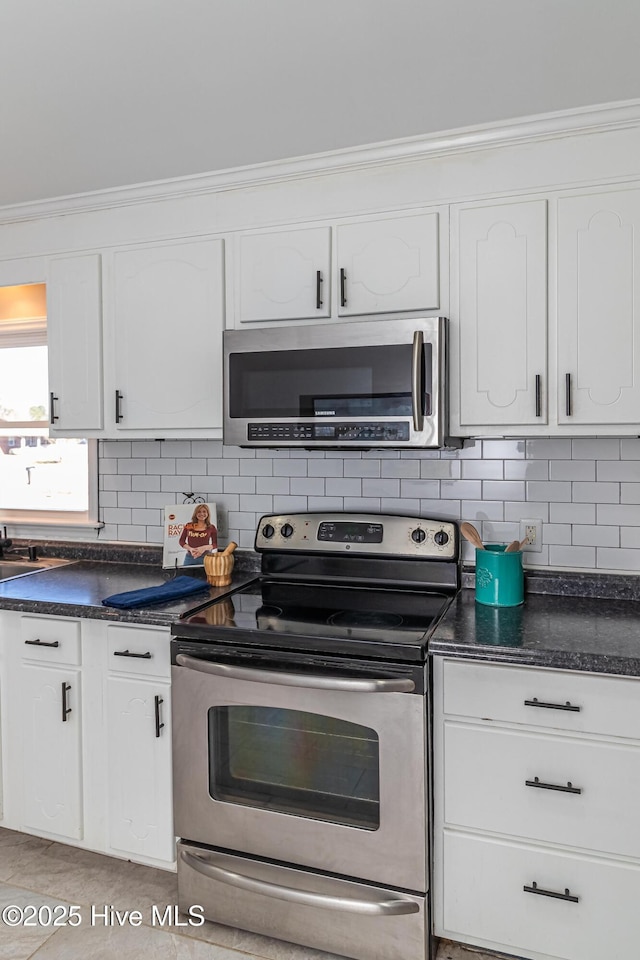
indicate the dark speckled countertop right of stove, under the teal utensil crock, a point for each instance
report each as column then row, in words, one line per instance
column 599, row 635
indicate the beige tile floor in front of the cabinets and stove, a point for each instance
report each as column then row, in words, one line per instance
column 36, row 873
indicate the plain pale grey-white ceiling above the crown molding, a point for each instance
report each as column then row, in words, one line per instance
column 105, row 93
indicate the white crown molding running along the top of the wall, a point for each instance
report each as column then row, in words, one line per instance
column 579, row 121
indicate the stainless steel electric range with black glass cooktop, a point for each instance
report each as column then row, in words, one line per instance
column 301, row 775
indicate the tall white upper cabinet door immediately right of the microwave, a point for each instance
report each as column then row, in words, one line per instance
column 499, row 299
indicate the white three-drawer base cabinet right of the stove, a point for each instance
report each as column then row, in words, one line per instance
column 536, row 837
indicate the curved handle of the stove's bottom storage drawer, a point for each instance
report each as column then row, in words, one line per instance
column 391, row 907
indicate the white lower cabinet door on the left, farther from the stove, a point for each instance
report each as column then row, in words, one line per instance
column 51, row 756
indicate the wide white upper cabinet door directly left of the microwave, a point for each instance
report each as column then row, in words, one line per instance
column 167, row 317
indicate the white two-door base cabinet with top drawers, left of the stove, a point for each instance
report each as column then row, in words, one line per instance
column 86, row 734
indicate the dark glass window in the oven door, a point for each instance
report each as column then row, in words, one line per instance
column 293, row 762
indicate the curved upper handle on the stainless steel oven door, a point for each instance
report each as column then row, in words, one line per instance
column 360, row 685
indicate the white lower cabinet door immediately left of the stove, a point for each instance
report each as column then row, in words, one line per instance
column 140, row 803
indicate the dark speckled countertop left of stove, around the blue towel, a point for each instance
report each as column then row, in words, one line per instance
column 78, row 588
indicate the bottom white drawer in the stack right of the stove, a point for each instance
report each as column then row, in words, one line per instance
column 485, row 900
